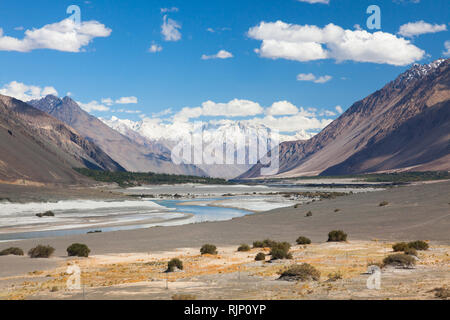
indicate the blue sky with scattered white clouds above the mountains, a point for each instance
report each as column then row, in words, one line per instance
column 118, row 63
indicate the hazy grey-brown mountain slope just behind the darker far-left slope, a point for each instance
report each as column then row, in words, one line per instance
column 131, row 155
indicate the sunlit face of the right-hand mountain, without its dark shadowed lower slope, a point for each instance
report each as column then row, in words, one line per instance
column 367, row 122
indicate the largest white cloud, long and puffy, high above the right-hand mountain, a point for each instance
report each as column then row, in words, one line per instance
column 309, row 42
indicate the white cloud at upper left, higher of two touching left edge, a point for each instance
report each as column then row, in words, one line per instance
column 62, row 36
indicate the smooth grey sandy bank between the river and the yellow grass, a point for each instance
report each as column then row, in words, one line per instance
column 414, row 212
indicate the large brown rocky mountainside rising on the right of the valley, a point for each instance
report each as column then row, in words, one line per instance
column 403, row 126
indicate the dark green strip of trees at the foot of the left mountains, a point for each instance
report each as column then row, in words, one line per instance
column 133, row 179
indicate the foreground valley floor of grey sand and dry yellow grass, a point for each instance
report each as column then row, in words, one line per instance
column 131, row 264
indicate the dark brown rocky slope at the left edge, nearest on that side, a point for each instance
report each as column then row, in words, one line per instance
column 37, row 148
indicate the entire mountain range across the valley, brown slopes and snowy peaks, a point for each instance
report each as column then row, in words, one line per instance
column 403, row 126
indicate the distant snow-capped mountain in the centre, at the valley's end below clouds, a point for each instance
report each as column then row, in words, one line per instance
column 216, row 137
